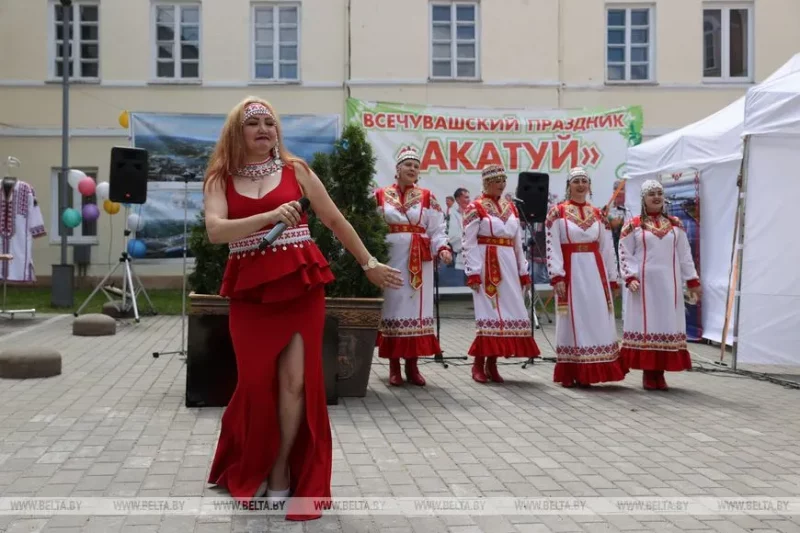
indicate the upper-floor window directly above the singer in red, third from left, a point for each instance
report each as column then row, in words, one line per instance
column 276, row 42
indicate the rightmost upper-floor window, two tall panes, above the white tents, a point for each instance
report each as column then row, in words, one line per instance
column 727, row 41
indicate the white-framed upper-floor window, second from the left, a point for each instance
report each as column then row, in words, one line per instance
column 176, row 53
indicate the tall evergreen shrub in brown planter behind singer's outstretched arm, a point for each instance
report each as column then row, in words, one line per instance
column 348, row 175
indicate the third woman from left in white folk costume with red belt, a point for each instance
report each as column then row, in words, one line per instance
column 583, row 271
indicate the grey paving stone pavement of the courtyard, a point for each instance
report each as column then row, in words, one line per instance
column 114, row 424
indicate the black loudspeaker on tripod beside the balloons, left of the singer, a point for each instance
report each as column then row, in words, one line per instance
column 127, row 179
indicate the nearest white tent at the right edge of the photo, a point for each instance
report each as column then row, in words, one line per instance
column 769, row 314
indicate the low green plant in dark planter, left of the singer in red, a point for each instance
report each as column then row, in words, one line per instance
column 210, row 360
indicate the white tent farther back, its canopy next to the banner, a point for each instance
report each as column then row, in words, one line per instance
column 712, row 148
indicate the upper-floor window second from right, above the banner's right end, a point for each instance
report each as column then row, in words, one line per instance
column 629, row 44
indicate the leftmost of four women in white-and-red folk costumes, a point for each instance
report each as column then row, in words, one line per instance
column 416, row 232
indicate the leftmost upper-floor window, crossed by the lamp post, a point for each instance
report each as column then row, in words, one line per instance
column 84, row 37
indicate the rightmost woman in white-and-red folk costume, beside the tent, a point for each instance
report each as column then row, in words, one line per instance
column 655, row 259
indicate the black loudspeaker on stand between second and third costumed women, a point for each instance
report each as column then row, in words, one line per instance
column 533, row 191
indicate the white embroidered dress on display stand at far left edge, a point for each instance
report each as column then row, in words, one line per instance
column 20, row 223
